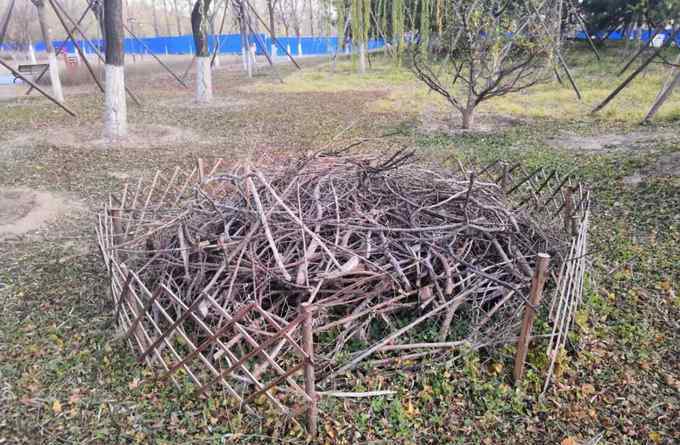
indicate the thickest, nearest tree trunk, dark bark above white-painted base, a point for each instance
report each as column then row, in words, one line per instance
column 115, row 107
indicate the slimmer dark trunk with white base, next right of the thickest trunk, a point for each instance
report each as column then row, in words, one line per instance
column 199, row 27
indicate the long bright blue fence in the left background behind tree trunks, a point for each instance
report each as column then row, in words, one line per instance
column 228, row 44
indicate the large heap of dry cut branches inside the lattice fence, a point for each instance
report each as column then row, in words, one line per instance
column 394, row 256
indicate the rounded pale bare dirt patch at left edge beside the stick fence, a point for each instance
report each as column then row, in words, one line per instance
column 24, row 210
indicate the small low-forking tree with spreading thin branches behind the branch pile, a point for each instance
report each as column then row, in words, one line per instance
column 489, row 48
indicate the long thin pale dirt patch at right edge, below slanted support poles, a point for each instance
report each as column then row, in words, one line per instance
column 609, row 142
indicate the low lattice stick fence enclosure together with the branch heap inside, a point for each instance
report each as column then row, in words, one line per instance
column 269, row 284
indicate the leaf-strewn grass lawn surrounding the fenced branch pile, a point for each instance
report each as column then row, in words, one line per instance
column 66, row 377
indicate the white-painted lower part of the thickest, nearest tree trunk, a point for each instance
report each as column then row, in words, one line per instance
column 115, row 116
